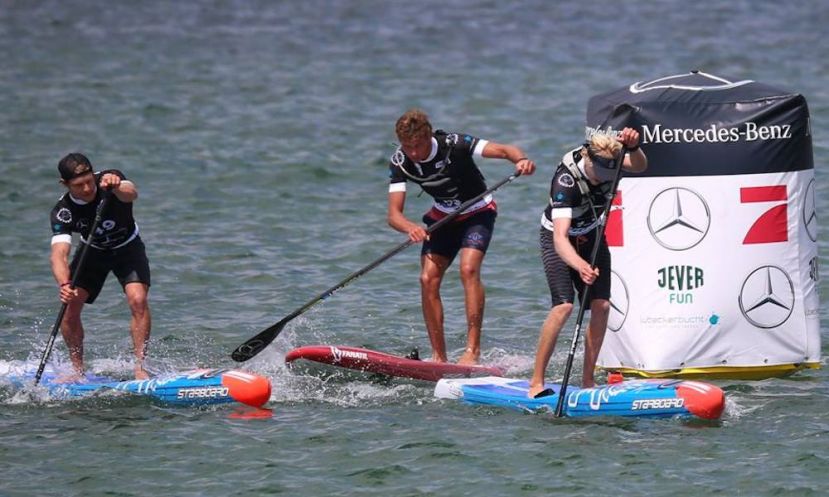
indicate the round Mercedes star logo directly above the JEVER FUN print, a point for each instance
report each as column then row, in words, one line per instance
column 678, row 218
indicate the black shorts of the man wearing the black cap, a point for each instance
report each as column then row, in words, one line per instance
column 129, row 264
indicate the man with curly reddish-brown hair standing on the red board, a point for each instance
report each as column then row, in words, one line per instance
column 443, row 165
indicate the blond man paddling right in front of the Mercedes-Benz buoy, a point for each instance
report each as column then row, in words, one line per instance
column 578, row 193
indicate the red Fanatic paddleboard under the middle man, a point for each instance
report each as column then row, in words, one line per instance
column 372, row 361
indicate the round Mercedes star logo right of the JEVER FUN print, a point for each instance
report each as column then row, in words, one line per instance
column 767, row 297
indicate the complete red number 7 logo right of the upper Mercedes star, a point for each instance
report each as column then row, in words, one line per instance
column 773, row 225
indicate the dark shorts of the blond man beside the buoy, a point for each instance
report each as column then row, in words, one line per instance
column 563, row 280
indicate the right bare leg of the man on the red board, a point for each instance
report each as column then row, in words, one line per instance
column 474, row 299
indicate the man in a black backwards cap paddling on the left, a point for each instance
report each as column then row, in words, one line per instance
column 115, row 246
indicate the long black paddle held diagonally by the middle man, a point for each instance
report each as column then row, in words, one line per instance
column 256, row 344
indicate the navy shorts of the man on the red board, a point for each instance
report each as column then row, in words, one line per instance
column 474, row 232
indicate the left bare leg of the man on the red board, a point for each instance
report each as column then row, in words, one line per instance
column 433, row 268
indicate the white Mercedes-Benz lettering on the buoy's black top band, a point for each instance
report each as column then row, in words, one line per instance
column 749, row 131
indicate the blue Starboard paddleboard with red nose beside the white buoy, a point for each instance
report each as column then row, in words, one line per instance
column 633, row 398
